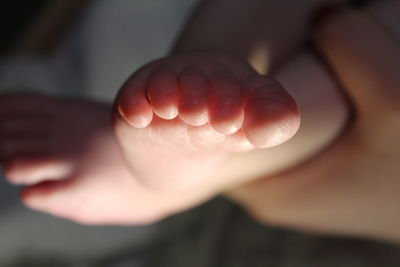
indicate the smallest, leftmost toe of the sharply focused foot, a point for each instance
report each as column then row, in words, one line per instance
column 132, row 104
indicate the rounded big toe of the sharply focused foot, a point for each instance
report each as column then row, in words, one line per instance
column 271, row 115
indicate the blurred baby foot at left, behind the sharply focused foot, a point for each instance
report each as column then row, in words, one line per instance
column 64, row 151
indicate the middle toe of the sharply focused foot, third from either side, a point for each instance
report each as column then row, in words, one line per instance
column 193, row 101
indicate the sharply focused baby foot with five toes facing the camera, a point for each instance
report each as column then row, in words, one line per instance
column 178, row 117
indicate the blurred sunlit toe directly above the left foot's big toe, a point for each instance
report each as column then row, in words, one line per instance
column 28, row 171
